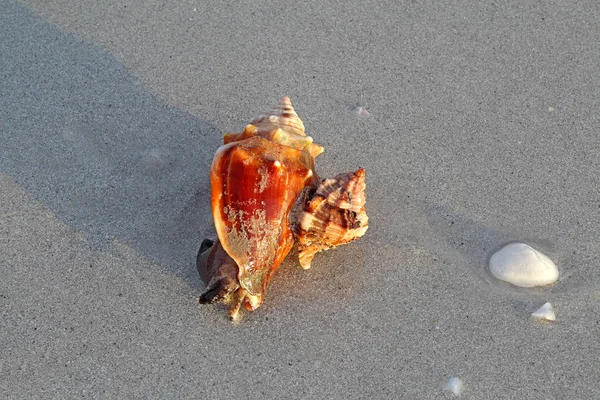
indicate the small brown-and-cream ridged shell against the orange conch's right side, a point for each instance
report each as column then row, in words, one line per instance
column 333, row 215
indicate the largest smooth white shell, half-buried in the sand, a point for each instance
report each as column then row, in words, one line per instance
column 522, row 265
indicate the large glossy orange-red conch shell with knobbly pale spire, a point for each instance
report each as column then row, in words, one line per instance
column 255, row 179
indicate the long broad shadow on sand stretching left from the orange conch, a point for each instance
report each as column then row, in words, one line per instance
column 89, row 142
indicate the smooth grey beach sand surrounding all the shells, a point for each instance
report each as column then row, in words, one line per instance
column 482, row 129
